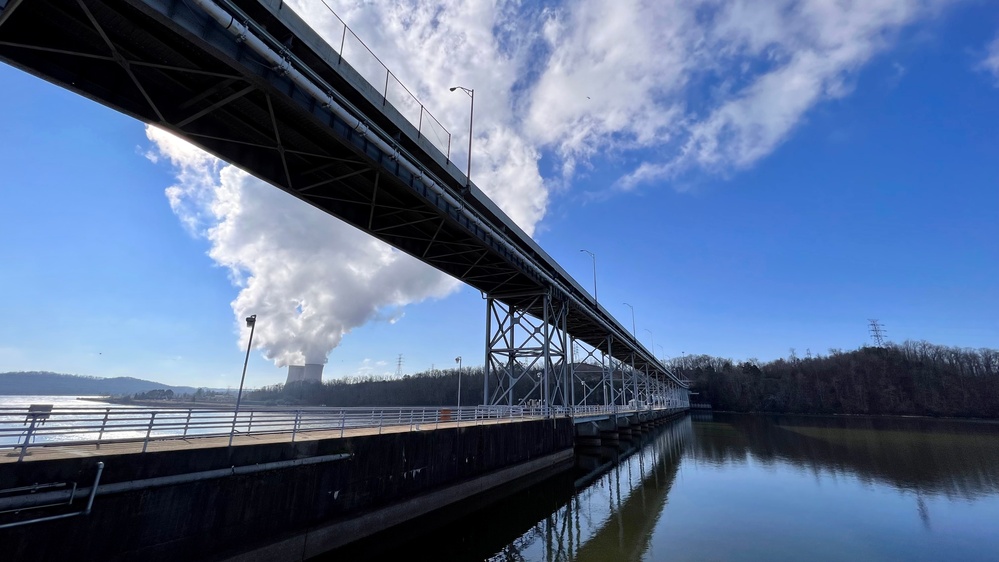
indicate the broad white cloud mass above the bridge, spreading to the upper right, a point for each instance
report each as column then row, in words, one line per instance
column 683, row 85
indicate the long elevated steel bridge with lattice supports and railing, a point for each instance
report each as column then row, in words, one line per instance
column 250, row 82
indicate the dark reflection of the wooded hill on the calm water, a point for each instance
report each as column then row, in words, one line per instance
column 924, row 456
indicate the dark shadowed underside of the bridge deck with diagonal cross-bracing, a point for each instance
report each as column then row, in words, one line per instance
column 233, row 104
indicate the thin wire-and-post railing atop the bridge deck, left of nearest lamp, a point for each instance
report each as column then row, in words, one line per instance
column 365, row 62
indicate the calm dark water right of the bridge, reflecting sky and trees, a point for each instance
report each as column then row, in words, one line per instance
column 741, row 487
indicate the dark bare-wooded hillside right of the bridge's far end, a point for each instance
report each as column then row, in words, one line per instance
column 912, row 378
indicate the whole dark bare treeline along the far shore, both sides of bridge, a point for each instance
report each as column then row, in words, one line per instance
column 913, row 378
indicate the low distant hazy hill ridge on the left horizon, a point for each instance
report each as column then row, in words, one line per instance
column 45, row 383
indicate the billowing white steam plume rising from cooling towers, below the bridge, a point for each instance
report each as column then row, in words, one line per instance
column 310, row 279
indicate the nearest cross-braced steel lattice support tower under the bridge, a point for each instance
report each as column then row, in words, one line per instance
column 526, row 359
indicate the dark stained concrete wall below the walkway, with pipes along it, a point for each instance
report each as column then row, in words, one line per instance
column 240, row 514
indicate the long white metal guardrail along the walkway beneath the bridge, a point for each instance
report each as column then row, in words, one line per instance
column 41, row 426
